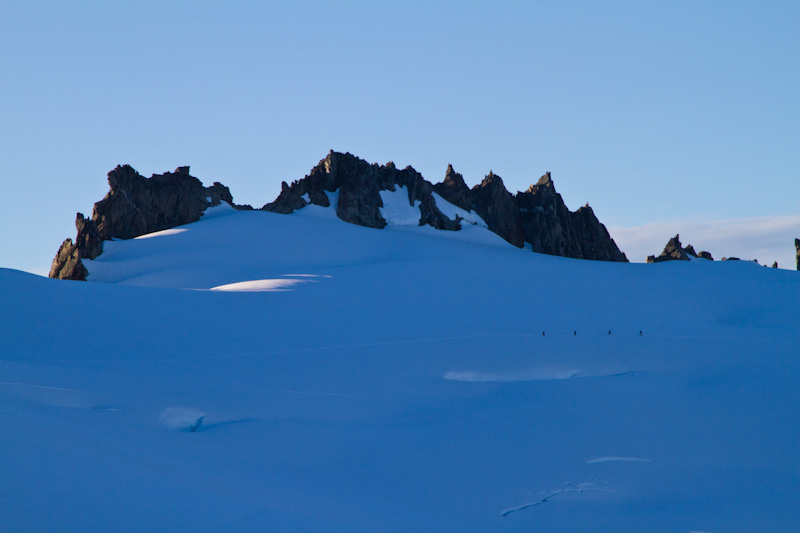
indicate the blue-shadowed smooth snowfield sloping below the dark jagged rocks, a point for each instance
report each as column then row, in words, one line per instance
column 264, row 372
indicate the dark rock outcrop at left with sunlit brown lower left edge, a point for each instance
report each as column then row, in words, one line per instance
column 134, row 206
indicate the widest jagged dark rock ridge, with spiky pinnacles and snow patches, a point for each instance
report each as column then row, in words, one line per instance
column 538, row 216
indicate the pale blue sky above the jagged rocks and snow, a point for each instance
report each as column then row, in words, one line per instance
column 657, row 114
